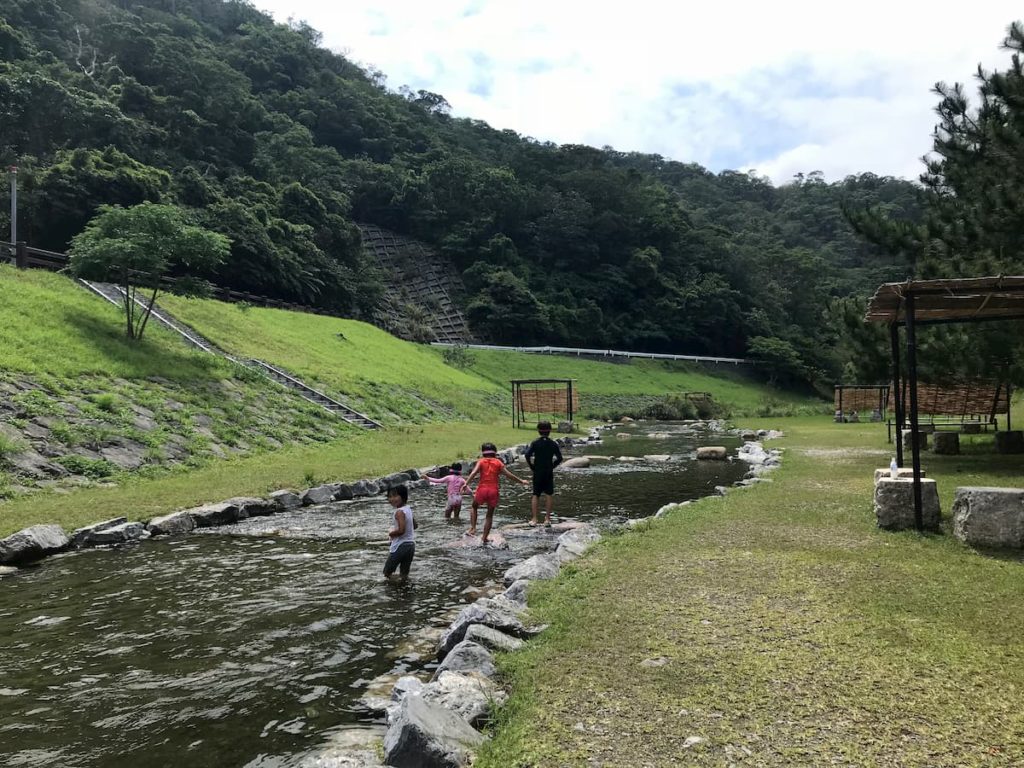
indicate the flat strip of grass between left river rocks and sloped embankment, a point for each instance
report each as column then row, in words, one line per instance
column 364, row 455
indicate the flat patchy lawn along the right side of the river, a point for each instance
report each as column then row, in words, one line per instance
column 787, row 630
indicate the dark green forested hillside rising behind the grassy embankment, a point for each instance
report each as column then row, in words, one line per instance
column 283, row 146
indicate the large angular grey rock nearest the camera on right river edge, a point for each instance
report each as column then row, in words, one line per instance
column 428, row 736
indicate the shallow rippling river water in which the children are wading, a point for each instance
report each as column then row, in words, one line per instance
column 251, row 646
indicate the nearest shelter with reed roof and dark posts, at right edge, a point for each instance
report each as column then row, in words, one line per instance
column 928, row 303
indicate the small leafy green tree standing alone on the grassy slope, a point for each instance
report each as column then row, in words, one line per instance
column 138, row 247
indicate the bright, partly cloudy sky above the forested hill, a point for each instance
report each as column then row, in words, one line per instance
column 779, row 88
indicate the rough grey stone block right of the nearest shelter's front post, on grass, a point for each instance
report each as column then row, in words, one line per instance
column 990, row 517
